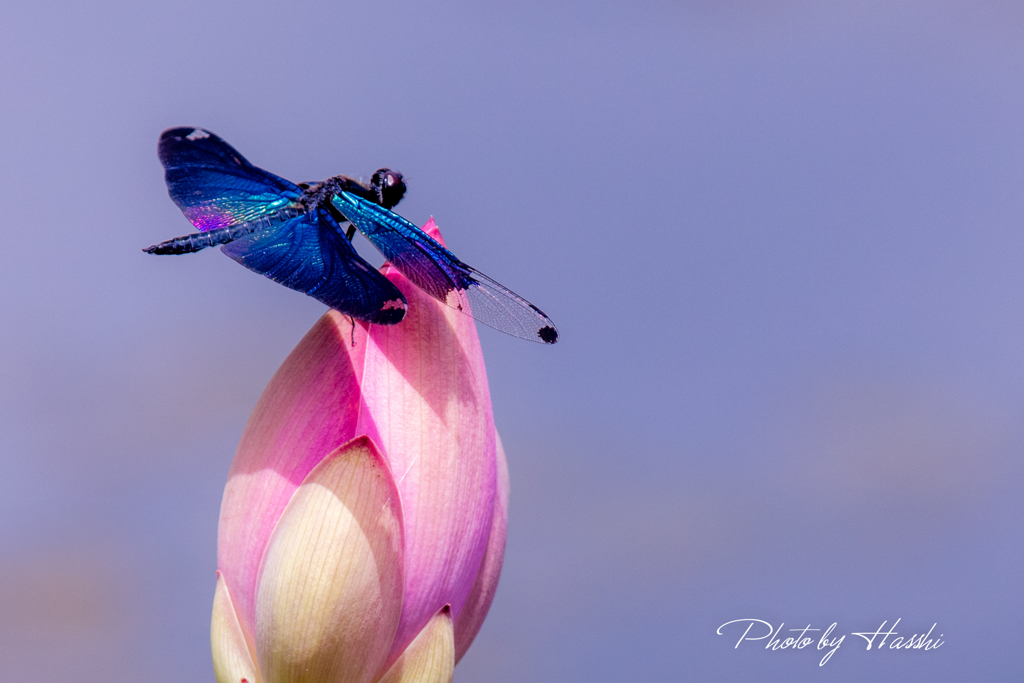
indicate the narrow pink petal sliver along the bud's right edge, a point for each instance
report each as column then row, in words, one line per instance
column 472, row 618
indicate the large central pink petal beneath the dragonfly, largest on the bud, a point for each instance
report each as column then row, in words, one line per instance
column 426, row 403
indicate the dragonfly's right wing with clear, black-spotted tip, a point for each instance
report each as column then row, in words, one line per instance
column 439, row 273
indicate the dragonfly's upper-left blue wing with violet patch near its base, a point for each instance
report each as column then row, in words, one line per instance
column 217, row 188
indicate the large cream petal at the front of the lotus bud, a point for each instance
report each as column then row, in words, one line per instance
column 329, row 596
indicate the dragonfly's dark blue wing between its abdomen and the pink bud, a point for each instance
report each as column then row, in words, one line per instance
column 310, row 254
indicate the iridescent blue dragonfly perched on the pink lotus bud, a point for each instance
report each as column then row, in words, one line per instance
column 301, row 236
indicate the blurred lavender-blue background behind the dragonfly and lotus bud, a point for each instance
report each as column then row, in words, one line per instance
column 783, row 242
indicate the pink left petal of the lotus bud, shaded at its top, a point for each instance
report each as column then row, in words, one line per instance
column 308, row 410
